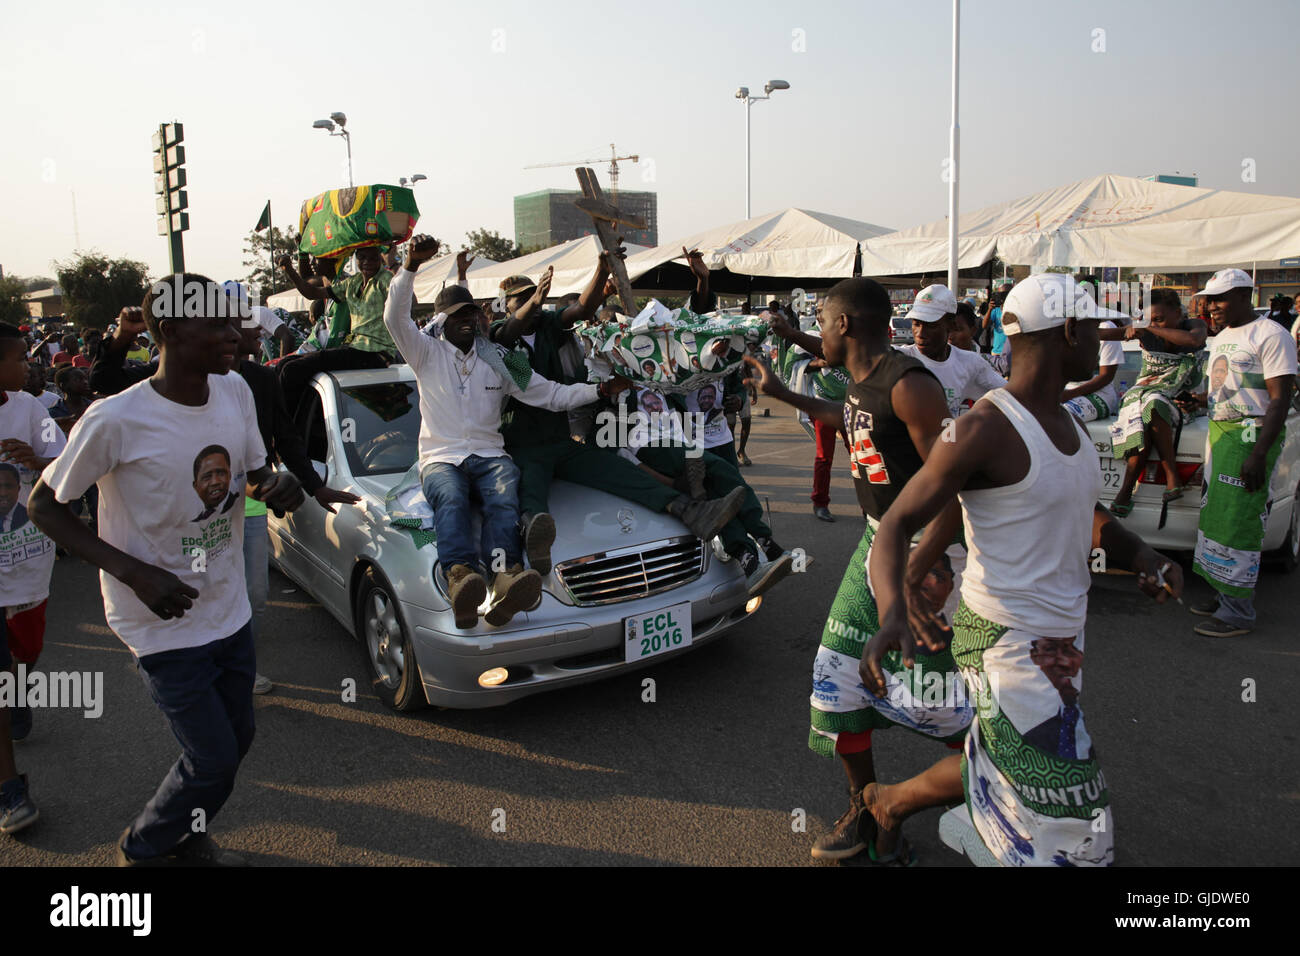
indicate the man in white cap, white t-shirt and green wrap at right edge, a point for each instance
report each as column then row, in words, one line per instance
column 1254, row 367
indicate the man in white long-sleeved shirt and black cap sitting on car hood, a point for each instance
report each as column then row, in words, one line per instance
column 465, row 382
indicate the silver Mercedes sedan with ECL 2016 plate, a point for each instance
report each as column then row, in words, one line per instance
column 629, row 586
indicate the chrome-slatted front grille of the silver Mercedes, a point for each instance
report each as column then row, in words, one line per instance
column 632, row 573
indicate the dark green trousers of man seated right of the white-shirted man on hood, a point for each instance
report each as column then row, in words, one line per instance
column 587, row 466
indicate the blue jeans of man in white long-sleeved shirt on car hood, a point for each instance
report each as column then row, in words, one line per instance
column 452, row 488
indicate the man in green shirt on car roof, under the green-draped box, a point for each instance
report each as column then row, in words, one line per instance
column 367, row 343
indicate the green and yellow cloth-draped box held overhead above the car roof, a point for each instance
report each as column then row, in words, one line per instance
column 343, row 220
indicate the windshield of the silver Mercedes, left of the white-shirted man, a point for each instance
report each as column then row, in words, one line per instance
column 380, row 427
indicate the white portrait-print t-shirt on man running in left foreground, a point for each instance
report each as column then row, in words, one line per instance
column 144, row 452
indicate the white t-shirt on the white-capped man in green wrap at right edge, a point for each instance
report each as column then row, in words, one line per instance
column 1241, row 362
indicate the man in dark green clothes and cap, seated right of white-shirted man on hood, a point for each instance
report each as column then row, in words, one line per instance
column 539, row 440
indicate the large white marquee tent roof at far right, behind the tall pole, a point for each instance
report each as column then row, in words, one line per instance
column 1107, row 220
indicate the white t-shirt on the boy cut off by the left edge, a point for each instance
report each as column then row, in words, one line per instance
column 27, row 555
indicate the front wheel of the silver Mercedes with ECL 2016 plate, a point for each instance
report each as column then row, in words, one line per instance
column 387, row 646
